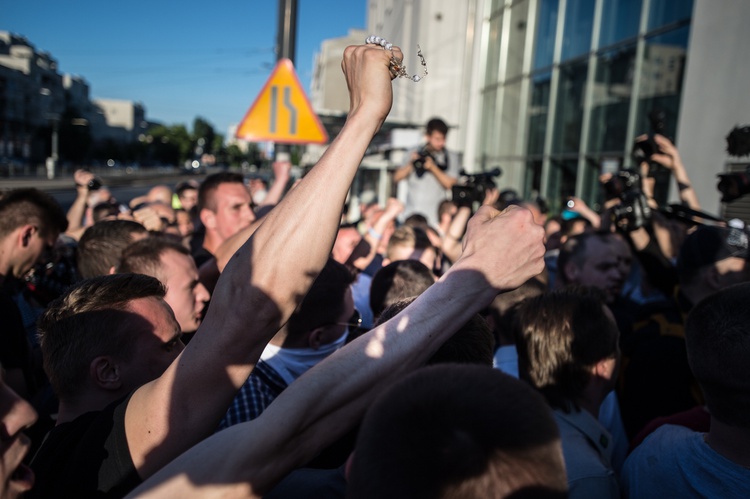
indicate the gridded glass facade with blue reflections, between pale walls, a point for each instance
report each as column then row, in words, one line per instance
column 569, row 84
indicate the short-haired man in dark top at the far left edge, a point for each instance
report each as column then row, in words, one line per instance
column 30, row 222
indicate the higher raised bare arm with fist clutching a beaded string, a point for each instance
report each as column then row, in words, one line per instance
column 261, row 285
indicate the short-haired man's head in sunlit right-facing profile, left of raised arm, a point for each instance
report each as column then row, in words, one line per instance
column 170, row 262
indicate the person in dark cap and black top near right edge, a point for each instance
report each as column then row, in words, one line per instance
column 656, row 379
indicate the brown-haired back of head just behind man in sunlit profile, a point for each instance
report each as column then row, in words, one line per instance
column 100, row 247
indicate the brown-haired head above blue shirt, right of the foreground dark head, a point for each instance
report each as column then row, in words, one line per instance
column 561, row 336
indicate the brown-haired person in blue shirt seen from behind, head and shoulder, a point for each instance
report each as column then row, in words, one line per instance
column 568, row 350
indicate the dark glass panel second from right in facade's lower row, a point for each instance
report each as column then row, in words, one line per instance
column 613, row 86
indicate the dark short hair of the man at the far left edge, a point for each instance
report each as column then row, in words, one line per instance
column 31, row 206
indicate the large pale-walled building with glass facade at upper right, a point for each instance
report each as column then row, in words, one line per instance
column 552, row 90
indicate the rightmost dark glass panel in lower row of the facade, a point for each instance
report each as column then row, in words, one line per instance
column 661, row 79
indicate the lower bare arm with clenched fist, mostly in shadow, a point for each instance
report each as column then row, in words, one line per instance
column 246, row 460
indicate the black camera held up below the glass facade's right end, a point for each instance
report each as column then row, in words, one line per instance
column 633, row 212
